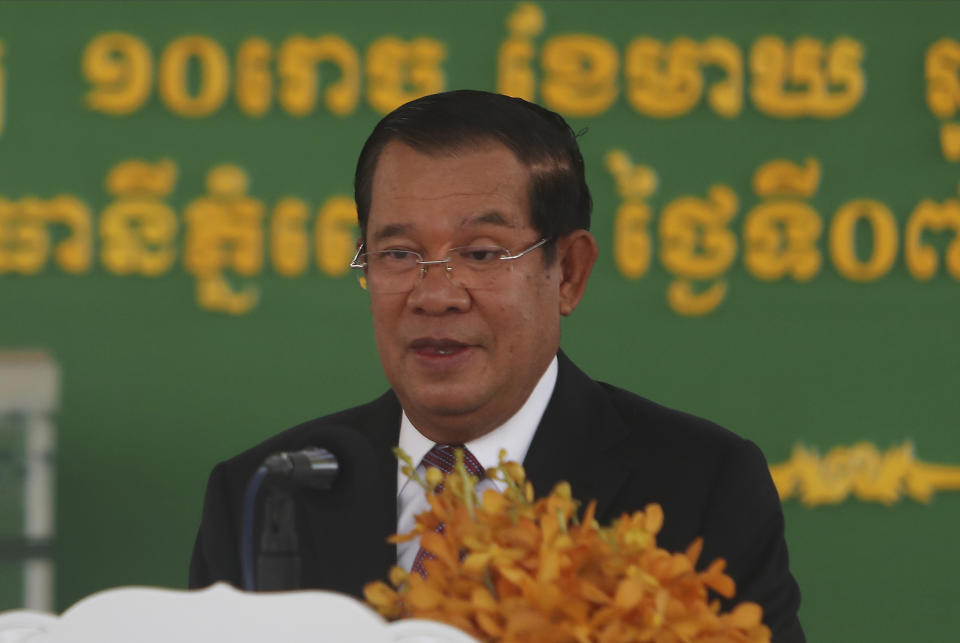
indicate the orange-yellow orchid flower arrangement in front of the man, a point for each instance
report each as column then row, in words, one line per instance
column 509, row 567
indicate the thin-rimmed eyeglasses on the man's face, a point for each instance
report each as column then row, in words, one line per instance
column 472, row 267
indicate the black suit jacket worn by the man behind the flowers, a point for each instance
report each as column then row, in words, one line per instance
column 611, row 445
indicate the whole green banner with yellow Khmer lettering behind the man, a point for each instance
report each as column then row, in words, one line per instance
column 776, row 204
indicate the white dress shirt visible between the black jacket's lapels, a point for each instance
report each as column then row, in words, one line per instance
column 514, row 435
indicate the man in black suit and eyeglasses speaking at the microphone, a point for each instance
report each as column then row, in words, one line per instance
column 474, row 216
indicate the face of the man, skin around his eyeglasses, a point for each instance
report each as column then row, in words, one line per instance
column 461, row 361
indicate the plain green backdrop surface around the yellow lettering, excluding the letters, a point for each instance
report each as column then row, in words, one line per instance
column 156, row 389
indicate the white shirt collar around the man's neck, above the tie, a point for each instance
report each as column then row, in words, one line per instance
column 514, row 435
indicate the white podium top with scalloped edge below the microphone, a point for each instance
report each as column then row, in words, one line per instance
column 218, row 613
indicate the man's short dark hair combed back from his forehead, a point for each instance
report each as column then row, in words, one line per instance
column 541, row 140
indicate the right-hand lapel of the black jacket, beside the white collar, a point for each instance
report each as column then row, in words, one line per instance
column 577, row 441
